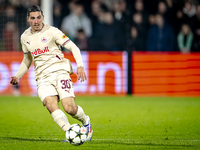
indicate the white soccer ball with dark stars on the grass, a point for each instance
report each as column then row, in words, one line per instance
column 76, row 134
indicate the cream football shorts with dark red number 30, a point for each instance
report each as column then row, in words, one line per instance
column 57, row 83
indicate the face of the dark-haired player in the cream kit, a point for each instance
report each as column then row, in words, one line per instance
column 35, row 19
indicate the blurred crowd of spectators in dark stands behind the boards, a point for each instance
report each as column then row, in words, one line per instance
column 114, row 25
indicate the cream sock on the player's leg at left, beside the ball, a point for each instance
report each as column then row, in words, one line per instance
column 61, row 119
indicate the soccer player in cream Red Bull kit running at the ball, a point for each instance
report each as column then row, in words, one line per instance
column 41, row 43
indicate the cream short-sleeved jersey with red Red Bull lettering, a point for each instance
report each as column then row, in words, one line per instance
column 44, row 46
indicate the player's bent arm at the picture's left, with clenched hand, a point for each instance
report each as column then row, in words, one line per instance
column 25, row 65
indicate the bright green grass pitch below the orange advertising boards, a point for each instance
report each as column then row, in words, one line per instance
column 118, row 123
